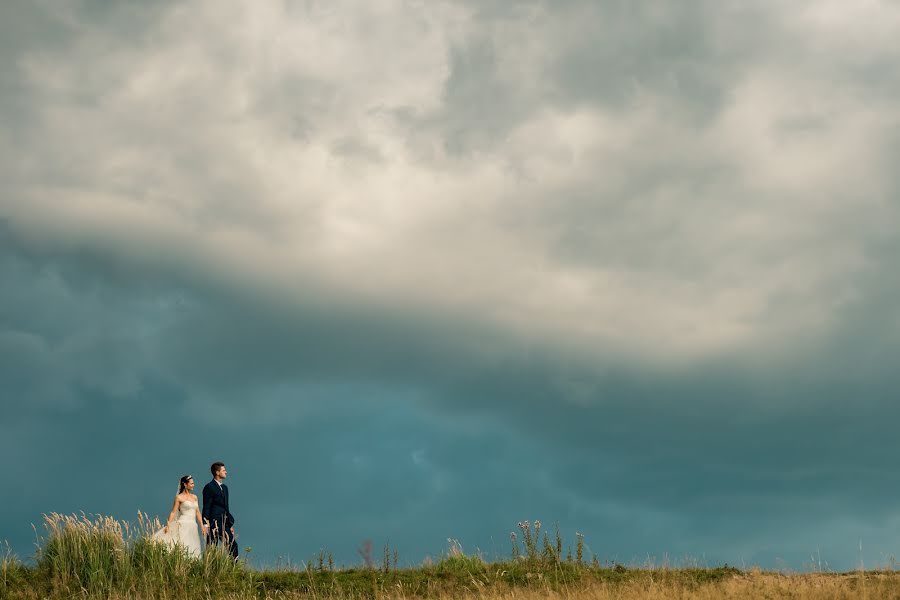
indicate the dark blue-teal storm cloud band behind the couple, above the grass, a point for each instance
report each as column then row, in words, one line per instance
column 643, row 463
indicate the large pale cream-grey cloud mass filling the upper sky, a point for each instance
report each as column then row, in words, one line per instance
column 288, row 149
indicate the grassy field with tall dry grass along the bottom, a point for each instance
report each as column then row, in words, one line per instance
column 88, row 558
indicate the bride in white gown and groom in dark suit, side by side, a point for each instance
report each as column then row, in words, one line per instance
column 215, row 519
